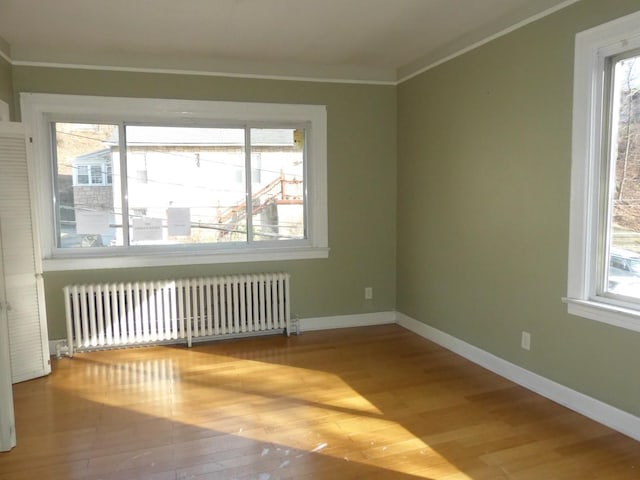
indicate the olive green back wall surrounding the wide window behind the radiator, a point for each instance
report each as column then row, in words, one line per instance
column 361, row 123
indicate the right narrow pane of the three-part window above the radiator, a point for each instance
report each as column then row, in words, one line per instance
column 277, row 183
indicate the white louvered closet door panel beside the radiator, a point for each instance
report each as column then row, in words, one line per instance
column 28, row 342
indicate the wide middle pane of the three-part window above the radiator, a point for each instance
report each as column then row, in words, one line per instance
column 186, row 185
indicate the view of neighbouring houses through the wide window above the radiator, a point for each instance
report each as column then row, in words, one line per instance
column 177, row 185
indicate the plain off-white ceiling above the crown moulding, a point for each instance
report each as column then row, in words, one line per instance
column 359, row 40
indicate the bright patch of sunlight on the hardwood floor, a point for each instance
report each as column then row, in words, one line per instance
column 309, row 411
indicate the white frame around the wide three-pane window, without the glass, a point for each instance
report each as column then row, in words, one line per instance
column 39, row 110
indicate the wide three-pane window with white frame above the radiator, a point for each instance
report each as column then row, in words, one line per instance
column 220, row 180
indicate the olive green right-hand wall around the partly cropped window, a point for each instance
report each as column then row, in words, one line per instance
column 484, row 158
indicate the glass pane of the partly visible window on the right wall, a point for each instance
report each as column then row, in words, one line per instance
column 624, row 232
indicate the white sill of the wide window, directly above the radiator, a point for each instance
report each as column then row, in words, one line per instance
column 161, row 260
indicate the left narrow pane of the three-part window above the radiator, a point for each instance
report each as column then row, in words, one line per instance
column 86, row 213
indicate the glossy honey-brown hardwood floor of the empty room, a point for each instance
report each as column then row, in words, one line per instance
column 367, row 403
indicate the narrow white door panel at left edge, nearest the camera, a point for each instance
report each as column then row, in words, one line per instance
column 7, row 420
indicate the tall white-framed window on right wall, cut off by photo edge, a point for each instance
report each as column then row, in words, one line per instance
column 604, row 250
